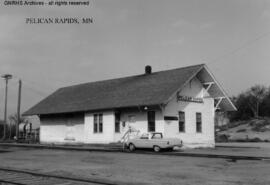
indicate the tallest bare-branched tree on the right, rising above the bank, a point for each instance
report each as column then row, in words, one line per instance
column 255, row 96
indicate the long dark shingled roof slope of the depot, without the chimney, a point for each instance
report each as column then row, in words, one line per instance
column 134, row 91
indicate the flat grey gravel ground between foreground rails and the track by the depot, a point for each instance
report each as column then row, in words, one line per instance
column 141, row 168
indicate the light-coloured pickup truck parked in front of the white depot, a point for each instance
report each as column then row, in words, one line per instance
column 153, row 140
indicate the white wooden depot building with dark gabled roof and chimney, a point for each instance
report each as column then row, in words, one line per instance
column 180, row 103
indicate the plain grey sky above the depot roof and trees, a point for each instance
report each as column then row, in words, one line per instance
column 231, row 36
